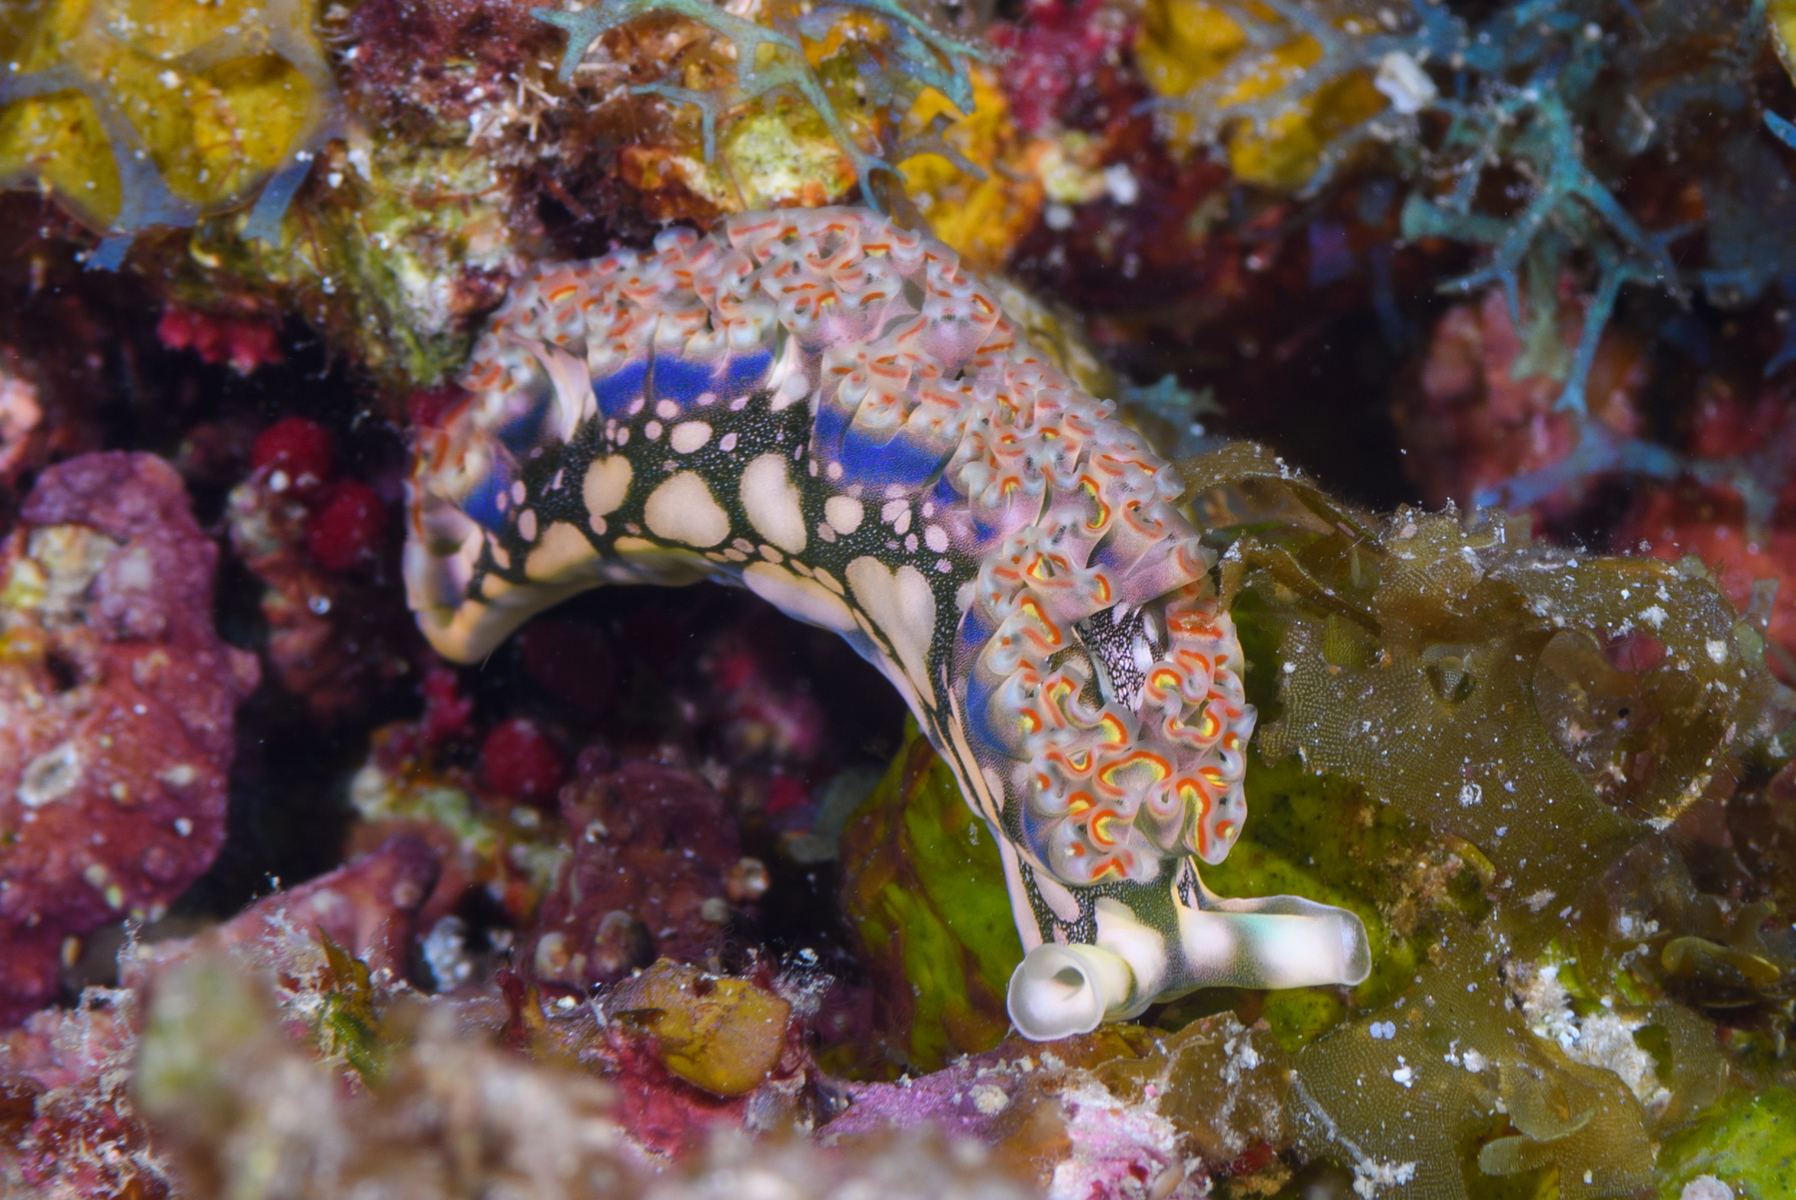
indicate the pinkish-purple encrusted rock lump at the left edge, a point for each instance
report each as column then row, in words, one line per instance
column 116, row 712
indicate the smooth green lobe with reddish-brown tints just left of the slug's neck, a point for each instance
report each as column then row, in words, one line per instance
column 926, row 894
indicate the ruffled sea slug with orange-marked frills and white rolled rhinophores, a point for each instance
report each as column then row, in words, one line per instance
column 831, row 412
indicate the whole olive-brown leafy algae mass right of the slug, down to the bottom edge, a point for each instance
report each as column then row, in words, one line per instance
column 1443, row 685
